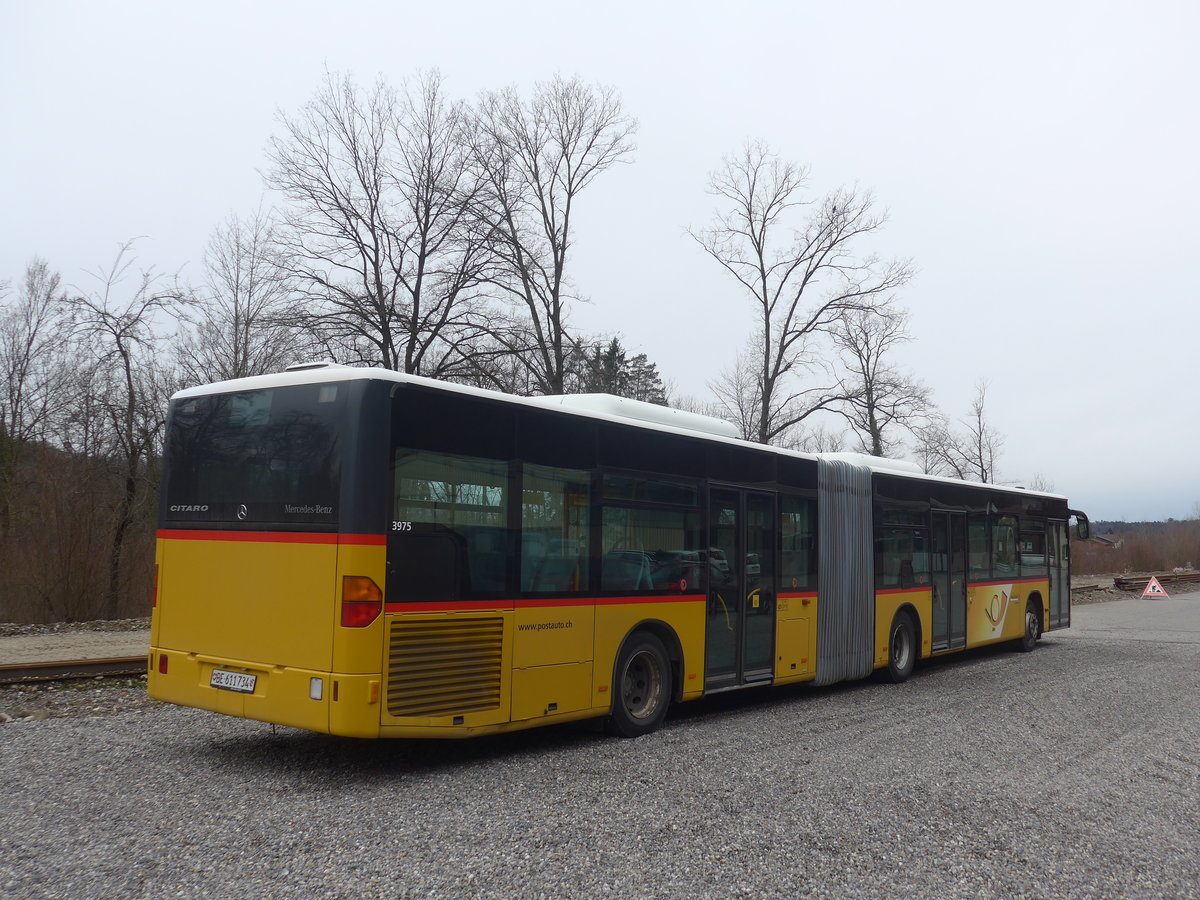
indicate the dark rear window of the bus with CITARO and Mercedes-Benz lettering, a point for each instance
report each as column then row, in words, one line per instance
column 259, row 458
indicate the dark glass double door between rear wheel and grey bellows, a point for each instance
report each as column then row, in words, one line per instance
column 740, row 646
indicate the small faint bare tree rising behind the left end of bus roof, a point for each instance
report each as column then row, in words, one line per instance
column 243, row 322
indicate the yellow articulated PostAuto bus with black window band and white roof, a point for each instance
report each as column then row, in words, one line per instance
column 368, row 554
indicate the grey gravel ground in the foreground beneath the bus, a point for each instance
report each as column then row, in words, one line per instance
column 1072, row 772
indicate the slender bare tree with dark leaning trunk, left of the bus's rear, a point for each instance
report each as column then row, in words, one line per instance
column 116, row 323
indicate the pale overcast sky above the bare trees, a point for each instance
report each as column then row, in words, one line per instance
column 1039, row 160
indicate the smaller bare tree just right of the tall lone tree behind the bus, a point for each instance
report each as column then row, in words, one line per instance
column 880, row 398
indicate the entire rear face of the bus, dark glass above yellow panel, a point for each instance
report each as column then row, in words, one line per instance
column 268, row 607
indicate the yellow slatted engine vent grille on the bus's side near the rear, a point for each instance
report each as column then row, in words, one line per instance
column 445, row 667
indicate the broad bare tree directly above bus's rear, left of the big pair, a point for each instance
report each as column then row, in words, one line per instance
column 376, row 229
